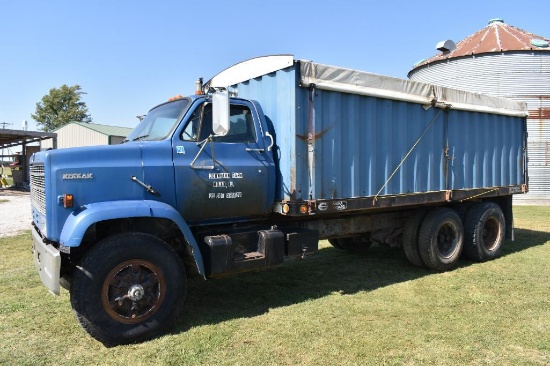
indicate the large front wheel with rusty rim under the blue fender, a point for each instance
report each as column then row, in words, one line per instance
column 128, row 288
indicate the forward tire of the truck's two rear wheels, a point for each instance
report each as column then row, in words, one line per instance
column 440, row 239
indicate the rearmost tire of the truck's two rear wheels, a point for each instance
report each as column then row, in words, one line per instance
column 484, row 229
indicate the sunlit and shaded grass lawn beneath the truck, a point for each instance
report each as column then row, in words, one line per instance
column 331, row 308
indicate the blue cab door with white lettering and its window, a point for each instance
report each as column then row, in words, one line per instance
column 223, row 178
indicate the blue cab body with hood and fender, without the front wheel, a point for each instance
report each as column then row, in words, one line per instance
column 174, row 161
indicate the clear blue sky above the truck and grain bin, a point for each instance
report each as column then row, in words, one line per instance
column 129, row 56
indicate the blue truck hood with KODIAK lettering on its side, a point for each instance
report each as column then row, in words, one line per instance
column 104, row 174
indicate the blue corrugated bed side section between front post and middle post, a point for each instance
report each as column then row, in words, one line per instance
column 362, row 140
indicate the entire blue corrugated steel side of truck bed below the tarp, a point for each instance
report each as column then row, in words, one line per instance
column 363, row 140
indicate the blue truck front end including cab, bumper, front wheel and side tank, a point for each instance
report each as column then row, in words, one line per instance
column 172, row 176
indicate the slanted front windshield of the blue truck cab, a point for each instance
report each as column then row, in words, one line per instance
column 159, row 122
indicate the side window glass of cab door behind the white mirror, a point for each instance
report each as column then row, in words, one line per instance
column 241, row 124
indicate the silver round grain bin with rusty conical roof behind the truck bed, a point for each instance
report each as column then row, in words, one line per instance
column 509, row 62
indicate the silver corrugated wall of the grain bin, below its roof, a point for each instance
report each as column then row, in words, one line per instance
column 523, row 76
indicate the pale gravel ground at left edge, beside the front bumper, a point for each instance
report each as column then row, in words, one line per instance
column 15, row 213
